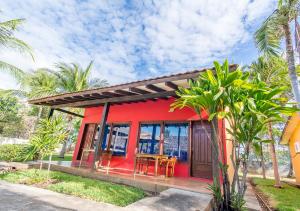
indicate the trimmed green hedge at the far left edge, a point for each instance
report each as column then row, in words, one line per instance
column 13, row 152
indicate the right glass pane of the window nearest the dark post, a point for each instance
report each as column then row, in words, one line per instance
column 119, row 139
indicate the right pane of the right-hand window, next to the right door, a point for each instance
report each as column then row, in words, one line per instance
column 176, row 140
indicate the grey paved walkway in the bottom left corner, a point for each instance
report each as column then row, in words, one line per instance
column 22, row 197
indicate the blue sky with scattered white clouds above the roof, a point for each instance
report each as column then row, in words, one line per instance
column 134, row 40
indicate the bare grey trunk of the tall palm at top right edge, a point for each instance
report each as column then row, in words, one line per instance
column 291, row 63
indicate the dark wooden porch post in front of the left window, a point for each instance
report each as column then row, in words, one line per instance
column 98, row 150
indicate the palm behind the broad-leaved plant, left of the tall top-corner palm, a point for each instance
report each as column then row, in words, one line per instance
column 274, row 71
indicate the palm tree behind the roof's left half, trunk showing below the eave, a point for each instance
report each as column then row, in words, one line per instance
column 73, row 78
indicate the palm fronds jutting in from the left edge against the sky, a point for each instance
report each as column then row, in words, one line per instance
column 8, row 40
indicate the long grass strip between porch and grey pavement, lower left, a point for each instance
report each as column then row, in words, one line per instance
column 96, row 190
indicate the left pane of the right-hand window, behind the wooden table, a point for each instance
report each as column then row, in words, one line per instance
column 149, row 138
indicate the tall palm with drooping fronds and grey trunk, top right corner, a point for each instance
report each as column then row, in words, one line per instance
column 276, row 27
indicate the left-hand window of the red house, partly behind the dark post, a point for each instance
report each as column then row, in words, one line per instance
column 116, row 139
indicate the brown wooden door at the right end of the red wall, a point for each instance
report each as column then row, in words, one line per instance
column 201, row 159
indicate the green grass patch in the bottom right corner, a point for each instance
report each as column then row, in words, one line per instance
column 286, row 198
